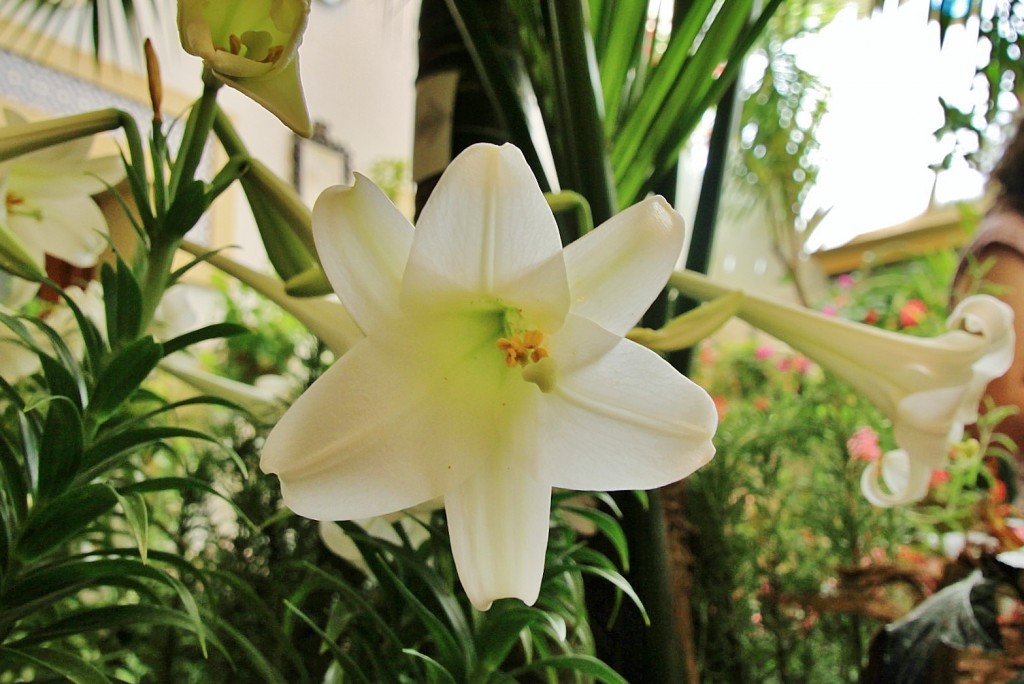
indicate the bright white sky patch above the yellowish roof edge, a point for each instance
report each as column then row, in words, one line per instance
column 886, row 75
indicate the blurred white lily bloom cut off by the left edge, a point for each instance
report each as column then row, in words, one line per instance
column 49, row 199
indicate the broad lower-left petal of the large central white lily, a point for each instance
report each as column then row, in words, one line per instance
column 374, row 436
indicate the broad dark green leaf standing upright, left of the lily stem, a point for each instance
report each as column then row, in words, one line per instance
column 62, row 447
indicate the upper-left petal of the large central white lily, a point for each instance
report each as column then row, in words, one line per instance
column 364, row 243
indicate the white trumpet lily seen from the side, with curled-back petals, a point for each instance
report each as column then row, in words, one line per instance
column 929, row 388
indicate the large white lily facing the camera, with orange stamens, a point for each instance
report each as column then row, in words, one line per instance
column 494, row 368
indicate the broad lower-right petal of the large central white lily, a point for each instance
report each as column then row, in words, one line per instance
column 626, row 421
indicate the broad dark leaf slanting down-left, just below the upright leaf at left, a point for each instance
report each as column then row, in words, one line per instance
column 61, row 520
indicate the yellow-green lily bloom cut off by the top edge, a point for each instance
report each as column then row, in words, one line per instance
column 252, row 46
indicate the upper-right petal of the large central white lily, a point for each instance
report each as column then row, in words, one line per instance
column 618, row 270
